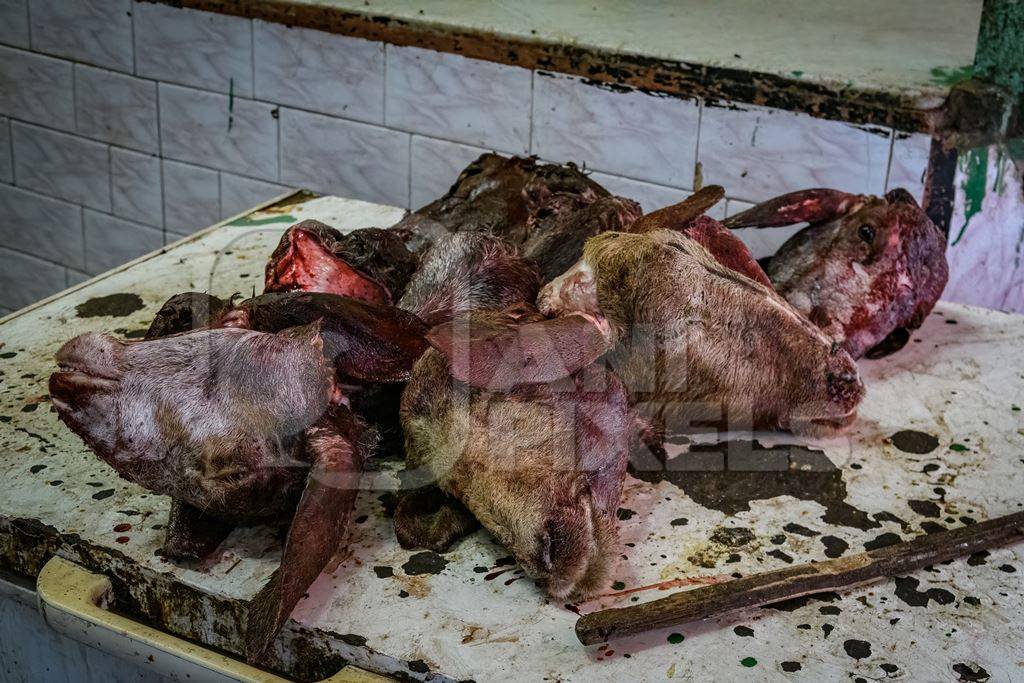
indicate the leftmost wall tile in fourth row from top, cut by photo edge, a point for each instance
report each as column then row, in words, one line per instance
column 42, row 227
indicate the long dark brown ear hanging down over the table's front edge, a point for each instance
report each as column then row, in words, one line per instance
column 335, row 451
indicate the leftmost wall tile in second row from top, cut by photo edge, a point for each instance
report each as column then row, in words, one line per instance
column 37, row 89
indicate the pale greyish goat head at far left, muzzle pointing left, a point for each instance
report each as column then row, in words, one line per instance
column 195, row 415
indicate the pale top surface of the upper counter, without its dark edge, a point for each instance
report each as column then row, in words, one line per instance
column 907, row 48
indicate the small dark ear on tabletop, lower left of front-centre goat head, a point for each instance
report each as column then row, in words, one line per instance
column 428, row 518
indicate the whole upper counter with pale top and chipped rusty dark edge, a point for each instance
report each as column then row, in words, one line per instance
column 862, row 61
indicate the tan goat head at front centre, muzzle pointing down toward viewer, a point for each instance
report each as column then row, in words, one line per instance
column 539, row 462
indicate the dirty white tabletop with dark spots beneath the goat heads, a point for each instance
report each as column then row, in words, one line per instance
column 471, row 614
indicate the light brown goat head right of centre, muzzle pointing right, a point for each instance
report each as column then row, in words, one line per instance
column 695, row 337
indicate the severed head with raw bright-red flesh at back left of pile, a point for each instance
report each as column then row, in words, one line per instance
column 370, row 265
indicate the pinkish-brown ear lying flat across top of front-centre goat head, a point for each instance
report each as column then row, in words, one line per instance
column 501, row 358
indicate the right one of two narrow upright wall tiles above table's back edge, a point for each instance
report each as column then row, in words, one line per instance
column 192, row 198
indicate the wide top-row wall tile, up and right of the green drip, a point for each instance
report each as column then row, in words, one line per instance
column 318, row 71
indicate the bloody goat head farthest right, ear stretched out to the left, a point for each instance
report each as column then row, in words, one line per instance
column 866, row 267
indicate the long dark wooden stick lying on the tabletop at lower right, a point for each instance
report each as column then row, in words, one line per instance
column 796, row 581
